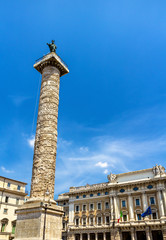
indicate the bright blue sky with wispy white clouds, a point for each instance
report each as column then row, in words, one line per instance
column 112, row 112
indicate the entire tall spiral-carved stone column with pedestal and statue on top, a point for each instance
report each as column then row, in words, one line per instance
column 40, row 217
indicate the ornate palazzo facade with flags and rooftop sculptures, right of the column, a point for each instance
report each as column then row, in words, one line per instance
column 91, row 212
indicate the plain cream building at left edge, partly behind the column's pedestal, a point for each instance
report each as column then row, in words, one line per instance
column 12, row 195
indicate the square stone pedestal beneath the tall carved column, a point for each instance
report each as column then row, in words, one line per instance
column 37, row 220
